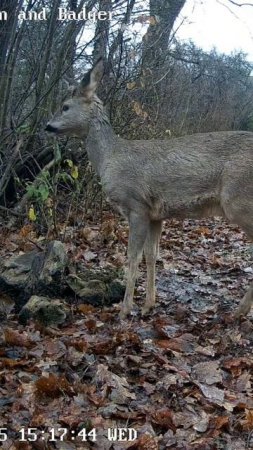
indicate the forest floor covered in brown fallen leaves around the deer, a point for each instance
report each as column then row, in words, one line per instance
column 180, row 378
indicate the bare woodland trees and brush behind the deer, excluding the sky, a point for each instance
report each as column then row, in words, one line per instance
column 154, row 85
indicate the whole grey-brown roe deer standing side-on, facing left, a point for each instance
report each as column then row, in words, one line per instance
column 148, row 181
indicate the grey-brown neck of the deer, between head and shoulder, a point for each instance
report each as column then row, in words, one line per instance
column 101, row 138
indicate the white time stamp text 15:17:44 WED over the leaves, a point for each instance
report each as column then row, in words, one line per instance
column 62, row 434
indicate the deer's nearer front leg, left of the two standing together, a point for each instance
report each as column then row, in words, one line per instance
column 138, row 227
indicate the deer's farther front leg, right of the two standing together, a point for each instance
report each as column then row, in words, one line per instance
column 151, row 249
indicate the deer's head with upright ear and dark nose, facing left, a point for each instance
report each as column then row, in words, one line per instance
column 75, row 115
